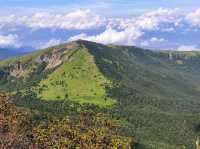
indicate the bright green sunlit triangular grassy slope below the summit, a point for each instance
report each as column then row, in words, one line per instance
column 79, row 80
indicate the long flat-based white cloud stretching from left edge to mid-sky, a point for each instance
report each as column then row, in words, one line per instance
column 80, row 19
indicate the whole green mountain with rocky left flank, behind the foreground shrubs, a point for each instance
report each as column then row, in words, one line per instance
column 155, row 95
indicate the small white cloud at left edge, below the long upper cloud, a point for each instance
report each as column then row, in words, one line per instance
column 9, row 40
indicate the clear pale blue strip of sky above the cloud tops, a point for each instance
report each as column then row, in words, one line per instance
column 106, row 7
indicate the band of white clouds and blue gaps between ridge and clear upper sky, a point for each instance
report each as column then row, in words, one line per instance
column 159, row 29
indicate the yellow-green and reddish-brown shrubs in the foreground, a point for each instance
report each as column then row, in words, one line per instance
column 90, row 131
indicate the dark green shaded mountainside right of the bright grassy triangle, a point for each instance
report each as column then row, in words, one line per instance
column 157, row 96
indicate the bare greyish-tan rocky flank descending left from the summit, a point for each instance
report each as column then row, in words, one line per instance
column 51, row 58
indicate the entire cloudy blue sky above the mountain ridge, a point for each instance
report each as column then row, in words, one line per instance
column 155, row 24
